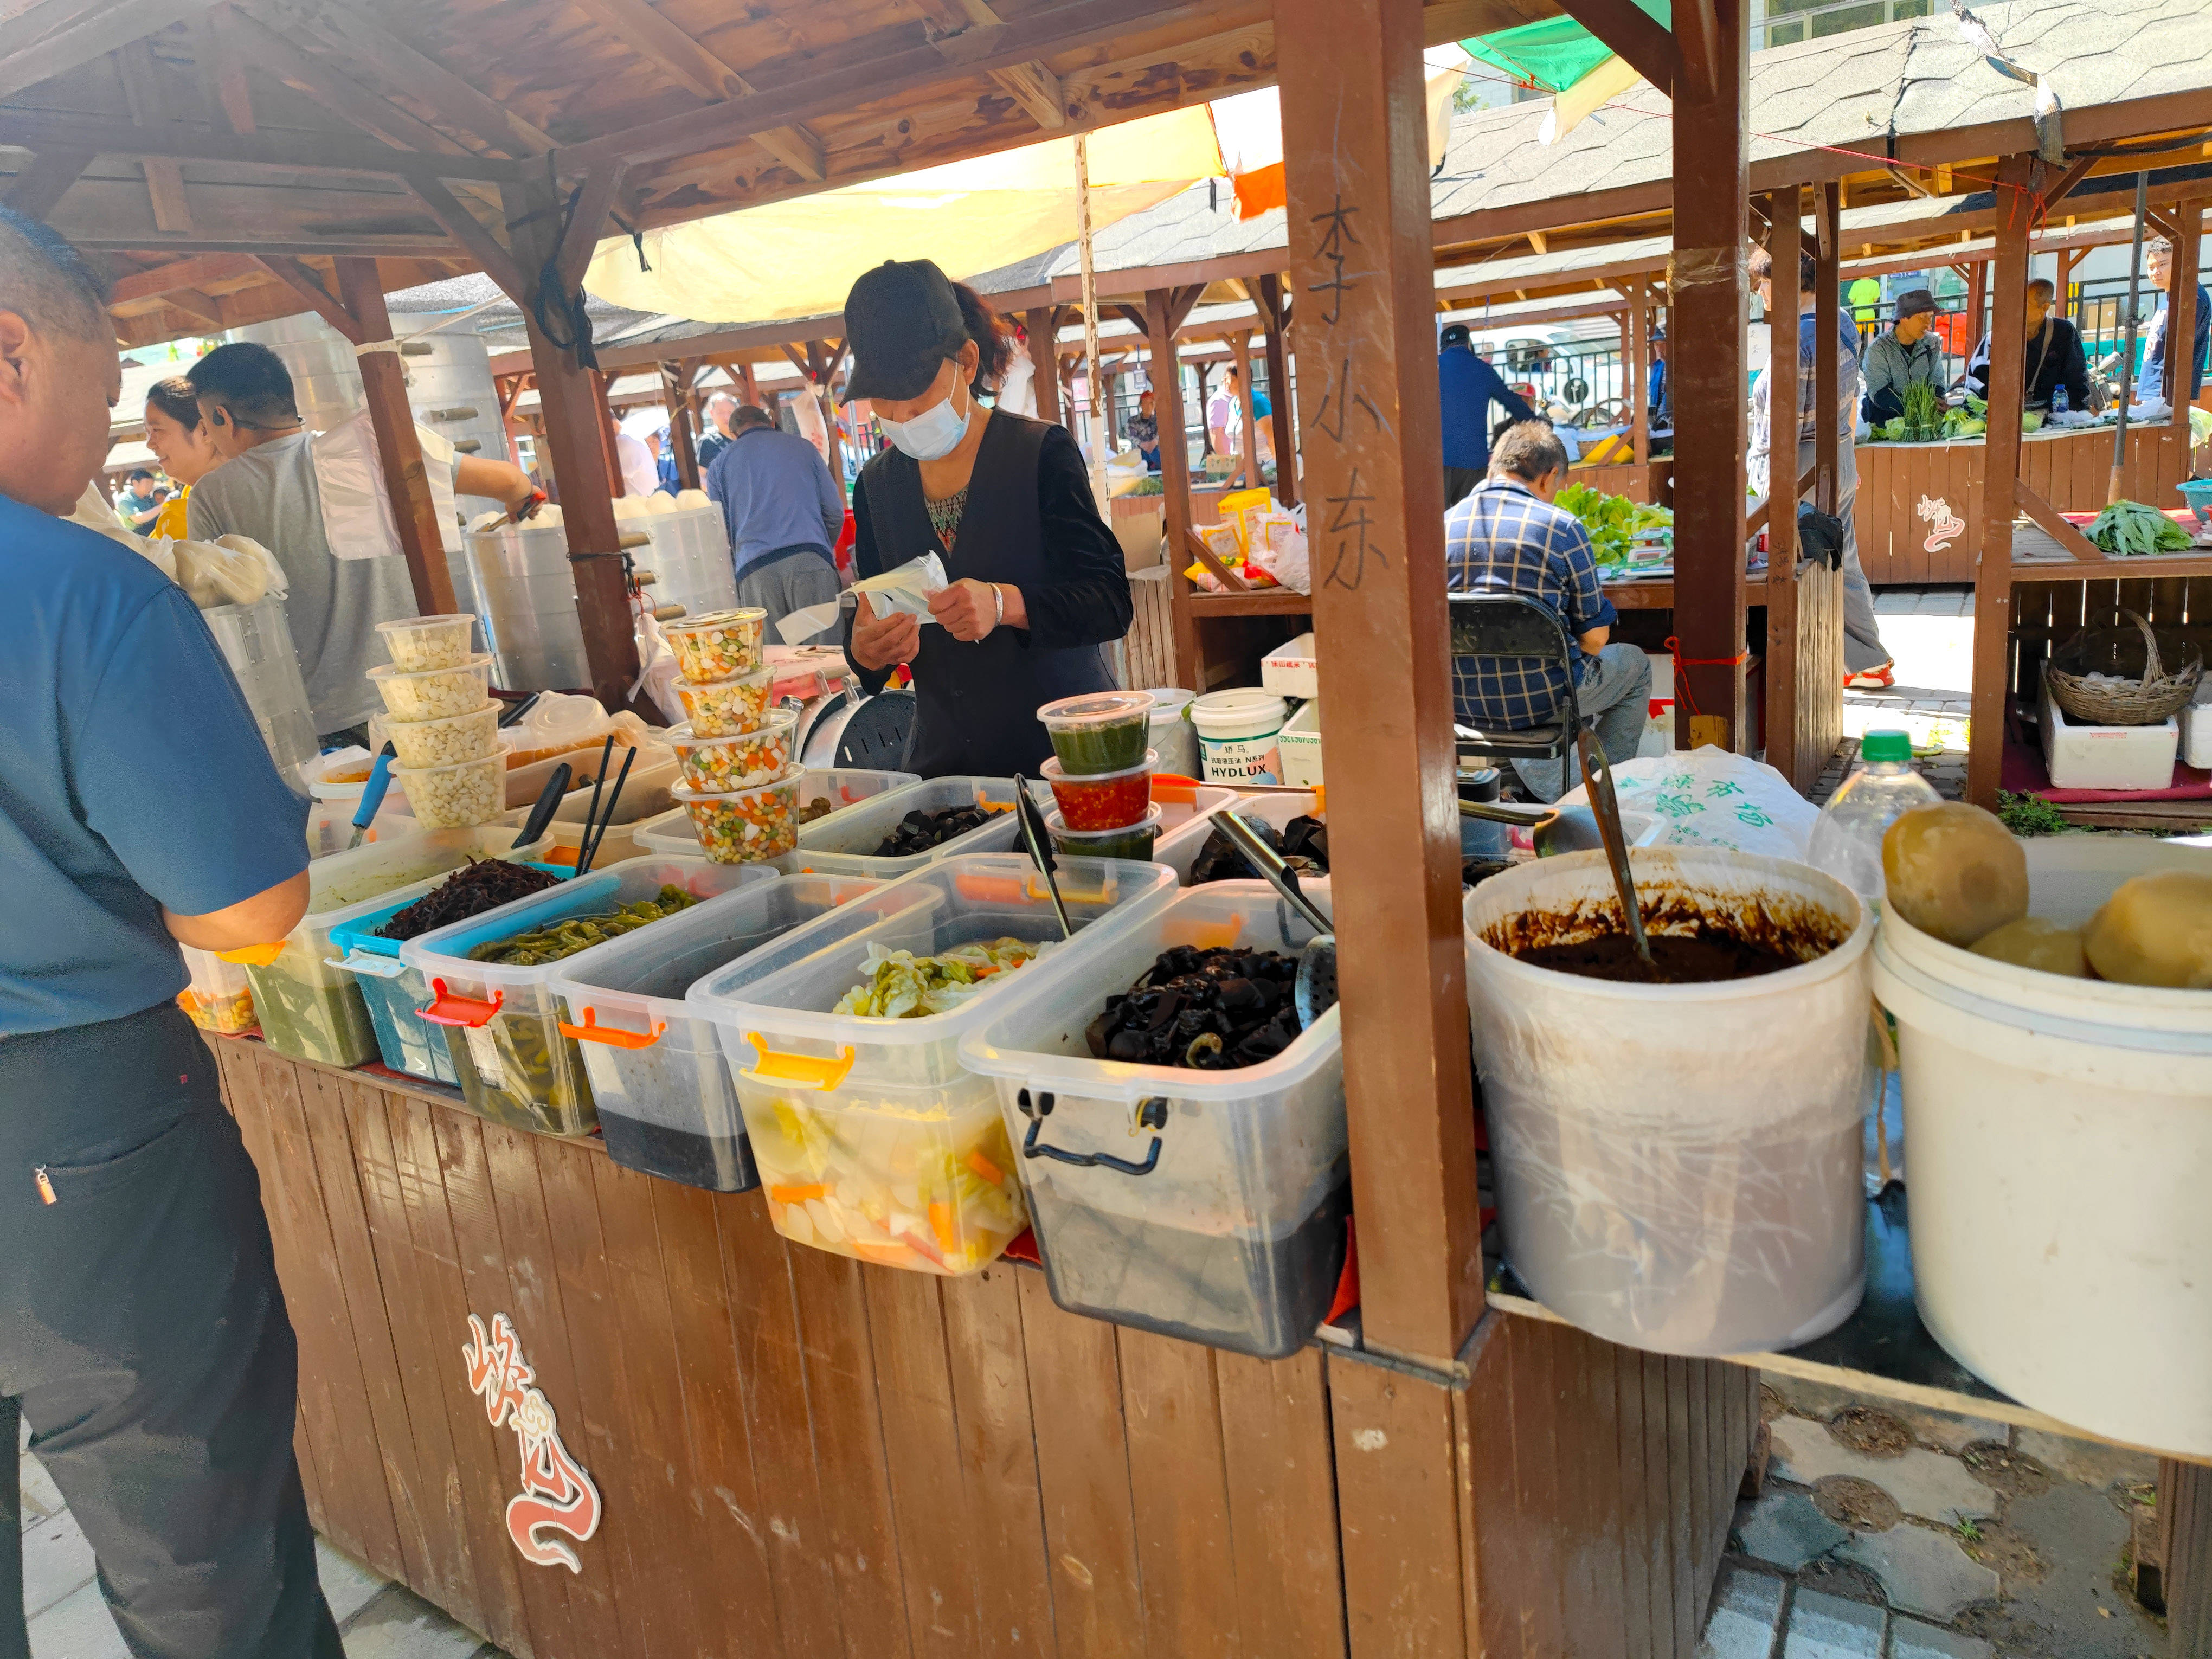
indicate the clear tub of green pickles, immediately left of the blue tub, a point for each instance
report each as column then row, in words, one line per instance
column 313, row 1010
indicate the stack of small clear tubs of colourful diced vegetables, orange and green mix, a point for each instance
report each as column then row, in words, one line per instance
column 742, row 782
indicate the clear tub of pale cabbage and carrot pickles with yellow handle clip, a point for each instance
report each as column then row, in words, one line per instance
column 844, row 1043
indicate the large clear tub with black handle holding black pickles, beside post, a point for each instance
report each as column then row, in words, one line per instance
column 1202, row 1204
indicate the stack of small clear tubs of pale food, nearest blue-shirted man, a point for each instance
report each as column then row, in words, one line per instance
column 444, row 724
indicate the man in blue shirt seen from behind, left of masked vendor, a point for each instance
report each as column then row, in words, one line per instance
column 784, row 514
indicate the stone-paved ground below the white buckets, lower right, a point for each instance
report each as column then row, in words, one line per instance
column 1899, row 1534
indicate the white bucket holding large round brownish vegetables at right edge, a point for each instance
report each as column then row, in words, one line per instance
column 2058, row 1142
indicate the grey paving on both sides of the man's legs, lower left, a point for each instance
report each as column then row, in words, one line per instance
column 72, row 1623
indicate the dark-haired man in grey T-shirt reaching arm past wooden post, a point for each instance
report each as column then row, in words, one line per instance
column 267, row 488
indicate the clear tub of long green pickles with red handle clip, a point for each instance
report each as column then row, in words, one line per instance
column 492, row 981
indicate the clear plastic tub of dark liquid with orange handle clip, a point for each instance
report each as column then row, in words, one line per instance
column 654, row 1063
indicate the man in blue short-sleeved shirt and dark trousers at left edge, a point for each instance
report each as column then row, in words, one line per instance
column 143, row 1333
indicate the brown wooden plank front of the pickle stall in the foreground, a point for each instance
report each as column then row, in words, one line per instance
column 811, row 1459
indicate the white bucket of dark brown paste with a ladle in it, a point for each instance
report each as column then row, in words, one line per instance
column 1678, row 1165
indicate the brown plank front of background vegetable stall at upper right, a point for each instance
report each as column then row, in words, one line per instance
column 2074, row 474
